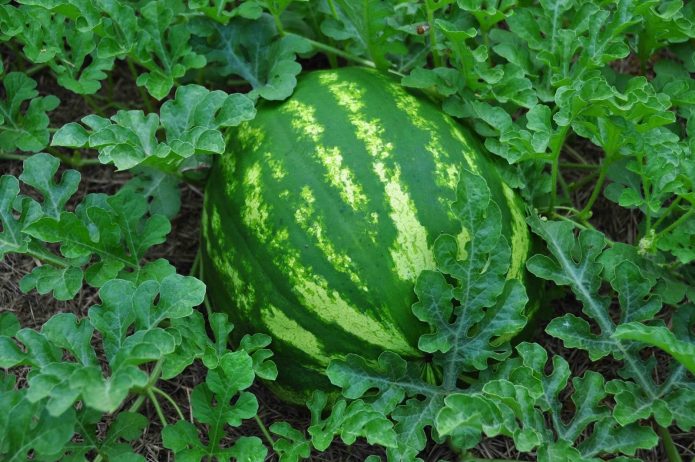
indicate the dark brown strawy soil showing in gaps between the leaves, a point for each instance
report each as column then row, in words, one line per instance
column 180, row 249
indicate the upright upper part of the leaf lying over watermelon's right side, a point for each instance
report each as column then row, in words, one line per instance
column 490, row 308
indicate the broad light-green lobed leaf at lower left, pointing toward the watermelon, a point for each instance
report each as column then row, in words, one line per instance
column 128, row 325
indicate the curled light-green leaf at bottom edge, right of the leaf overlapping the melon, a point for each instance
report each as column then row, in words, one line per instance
column 522, row 398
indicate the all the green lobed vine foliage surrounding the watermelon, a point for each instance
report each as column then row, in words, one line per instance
column 588, row 109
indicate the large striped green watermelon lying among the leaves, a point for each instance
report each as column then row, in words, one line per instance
column 319, row 219
